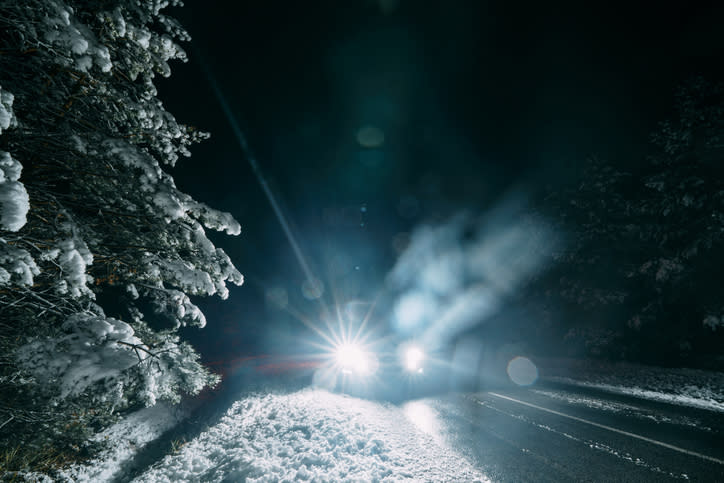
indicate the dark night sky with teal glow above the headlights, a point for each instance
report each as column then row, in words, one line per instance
column 474, row 99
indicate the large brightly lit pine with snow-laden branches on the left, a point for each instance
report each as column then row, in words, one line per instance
column 88, row 210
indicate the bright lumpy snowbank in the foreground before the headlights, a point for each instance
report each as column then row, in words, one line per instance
column 315, row 435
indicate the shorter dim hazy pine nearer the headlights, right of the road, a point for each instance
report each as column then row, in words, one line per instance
column 585, row 288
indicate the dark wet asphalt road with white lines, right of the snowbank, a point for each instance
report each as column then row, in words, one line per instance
column 559, row 433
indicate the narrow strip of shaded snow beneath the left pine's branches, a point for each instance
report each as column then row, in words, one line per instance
column 126, row 438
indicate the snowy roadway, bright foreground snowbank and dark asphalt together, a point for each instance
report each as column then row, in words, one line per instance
column 545, row 433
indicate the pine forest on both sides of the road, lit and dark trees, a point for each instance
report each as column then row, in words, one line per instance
column 92, row 224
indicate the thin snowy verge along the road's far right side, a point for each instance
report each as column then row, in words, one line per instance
column 688, row 387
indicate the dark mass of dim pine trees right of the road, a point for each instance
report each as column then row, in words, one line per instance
column 647, row 243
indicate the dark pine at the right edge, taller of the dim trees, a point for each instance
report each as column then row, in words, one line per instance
column 684, row 210
